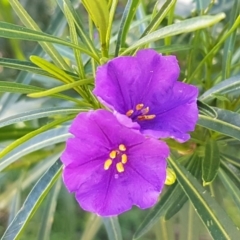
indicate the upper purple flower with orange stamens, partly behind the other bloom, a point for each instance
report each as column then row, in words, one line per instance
column 145, row 88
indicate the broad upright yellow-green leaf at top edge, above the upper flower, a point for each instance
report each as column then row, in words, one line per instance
column 98, row 11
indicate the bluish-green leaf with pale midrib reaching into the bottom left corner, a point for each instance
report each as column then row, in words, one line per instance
column 33, row 202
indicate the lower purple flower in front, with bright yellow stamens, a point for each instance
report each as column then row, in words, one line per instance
column 111, row 167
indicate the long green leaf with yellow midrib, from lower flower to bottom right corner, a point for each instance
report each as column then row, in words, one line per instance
column 212, row 215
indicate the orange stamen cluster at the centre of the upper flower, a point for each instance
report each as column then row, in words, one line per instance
column 140, row 112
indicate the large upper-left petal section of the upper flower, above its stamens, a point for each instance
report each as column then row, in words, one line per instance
column 124, row 82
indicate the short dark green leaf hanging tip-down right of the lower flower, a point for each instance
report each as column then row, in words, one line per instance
column 211, row 162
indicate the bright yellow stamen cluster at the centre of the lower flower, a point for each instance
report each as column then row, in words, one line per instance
column 119, row 156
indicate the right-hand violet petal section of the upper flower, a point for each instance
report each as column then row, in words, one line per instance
column 176, row 113
